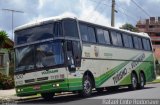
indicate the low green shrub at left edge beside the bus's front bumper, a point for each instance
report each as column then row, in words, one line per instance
column 6, row 82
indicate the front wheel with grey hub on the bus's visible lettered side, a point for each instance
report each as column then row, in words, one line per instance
column 87, row 86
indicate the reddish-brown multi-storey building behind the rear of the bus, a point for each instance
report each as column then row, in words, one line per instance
column 152, row 27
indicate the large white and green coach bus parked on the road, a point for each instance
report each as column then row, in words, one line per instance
column 70, row 55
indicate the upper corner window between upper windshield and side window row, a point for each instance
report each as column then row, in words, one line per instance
column 70, row 28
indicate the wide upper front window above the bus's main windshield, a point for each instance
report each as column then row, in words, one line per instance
column 34, row 34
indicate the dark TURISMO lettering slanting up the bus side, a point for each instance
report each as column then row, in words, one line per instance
column 119, row 75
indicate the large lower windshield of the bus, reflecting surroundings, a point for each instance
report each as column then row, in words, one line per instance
column 40, row 55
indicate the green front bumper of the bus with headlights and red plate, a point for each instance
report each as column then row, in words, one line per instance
column 27, row 90
